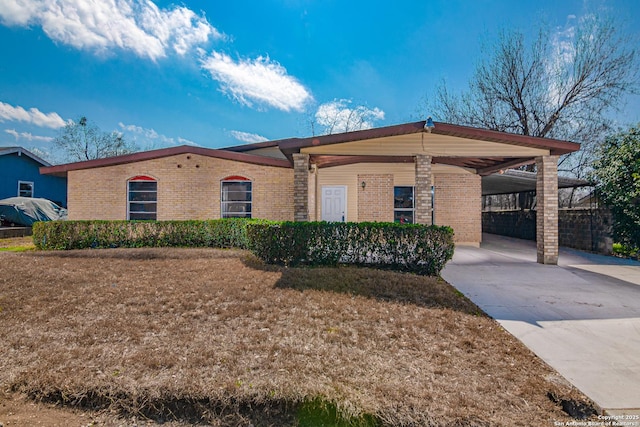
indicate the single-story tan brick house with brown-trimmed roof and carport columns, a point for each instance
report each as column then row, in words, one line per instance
column 422, row 172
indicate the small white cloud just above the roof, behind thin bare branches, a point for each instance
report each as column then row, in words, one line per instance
column 338, row 116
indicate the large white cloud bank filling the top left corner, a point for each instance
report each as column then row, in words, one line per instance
column 135, row 25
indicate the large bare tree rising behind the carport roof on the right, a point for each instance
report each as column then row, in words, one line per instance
column 564, row 85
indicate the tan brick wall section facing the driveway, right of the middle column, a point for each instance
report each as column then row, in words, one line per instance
column 458, row 204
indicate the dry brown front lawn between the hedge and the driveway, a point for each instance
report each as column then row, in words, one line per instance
column 216, row 337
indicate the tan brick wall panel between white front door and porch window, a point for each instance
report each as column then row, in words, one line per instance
column 375, row 201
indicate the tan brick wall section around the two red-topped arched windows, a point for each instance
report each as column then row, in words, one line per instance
column 188, row 188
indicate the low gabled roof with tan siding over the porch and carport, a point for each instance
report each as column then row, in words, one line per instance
column 484, row 151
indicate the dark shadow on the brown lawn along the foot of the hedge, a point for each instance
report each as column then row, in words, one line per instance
column 381, row 285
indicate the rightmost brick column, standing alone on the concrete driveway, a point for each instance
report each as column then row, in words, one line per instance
column 547, row 209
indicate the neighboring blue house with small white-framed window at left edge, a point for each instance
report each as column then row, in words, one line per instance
column 20, row 176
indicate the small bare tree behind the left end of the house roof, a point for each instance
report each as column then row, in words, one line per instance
column 82, row 140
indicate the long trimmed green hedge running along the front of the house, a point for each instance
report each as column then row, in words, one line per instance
column 414, row 248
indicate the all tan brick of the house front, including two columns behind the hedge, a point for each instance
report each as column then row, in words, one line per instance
column 189, row 188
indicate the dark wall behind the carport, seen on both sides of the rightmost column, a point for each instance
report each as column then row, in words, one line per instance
column 584, row 229
